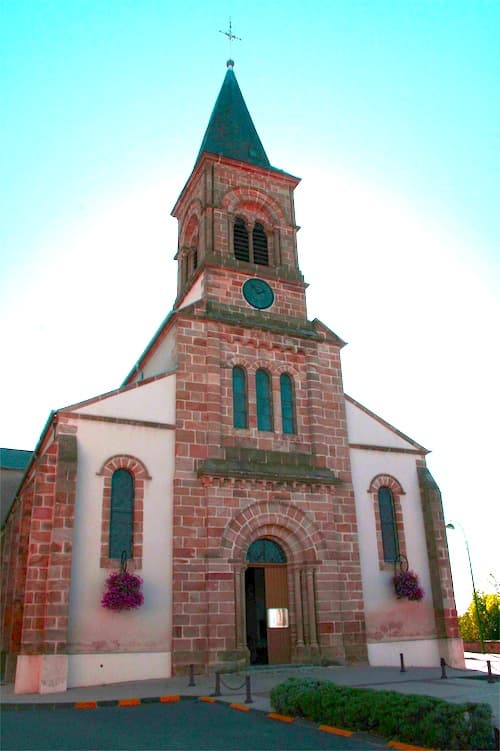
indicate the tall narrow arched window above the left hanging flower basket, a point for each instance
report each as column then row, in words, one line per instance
column 121, row 521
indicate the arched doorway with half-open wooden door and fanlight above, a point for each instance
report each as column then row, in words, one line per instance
column 266, row 603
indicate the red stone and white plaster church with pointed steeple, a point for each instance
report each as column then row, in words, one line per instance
column 268, row 514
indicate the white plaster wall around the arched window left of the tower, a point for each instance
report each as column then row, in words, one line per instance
column 93, row 629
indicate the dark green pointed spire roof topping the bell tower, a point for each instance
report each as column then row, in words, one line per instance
column 230, row 131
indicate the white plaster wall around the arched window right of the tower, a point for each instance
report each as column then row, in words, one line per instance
column 387, row 618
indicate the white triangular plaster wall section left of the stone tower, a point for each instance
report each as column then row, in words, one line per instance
column 153, row 401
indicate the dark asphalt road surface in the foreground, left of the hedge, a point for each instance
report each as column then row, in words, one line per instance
column 187, row 725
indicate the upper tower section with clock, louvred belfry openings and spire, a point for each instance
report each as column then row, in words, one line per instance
column 237, row 246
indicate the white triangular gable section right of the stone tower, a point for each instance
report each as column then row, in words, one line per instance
column 366, row 429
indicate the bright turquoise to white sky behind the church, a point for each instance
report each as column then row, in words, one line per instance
column 387, row 110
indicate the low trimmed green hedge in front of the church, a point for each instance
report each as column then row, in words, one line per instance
column 410, row 718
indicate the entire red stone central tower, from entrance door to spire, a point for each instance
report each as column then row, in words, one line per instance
column 264, row 520
